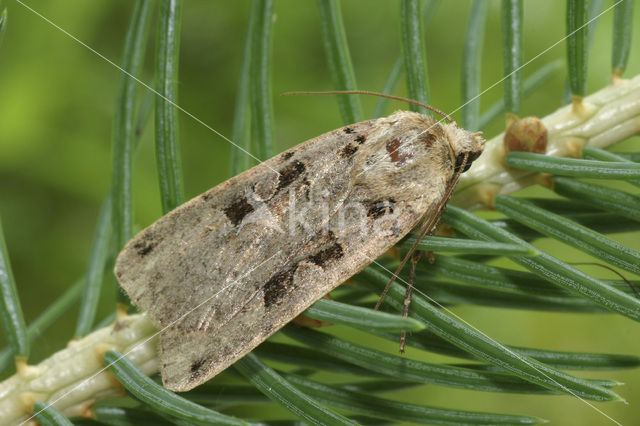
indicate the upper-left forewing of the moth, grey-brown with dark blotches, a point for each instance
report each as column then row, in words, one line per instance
column 203, row 247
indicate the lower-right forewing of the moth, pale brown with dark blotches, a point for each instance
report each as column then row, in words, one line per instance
column 308, row 274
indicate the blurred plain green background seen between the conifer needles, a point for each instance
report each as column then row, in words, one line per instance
column 57, row 104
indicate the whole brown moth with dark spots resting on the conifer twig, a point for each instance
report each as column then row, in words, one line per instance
column 224, row 271
